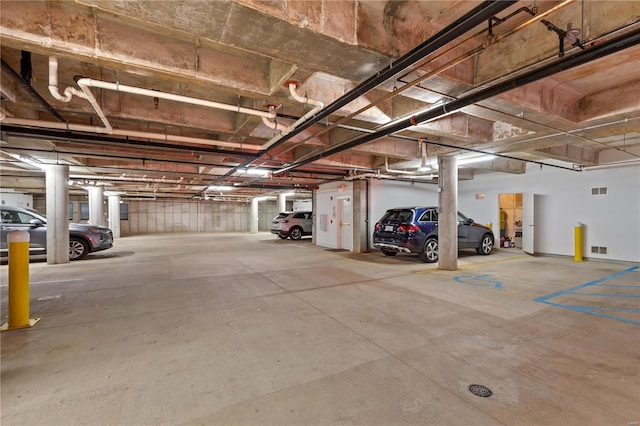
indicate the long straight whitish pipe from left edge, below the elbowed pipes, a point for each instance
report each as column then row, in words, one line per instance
column 120, row 132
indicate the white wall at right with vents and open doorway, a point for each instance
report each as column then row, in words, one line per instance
column 611, row 220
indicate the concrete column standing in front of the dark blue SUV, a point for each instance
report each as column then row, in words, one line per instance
column 448, row 213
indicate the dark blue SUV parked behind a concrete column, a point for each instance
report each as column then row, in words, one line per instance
column 415, row 230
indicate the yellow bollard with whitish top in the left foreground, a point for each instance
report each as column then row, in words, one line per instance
column 18, row 282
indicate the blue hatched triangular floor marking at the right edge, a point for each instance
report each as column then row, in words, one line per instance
column 630, row 274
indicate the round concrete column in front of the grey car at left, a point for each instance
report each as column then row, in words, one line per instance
column 57, row 202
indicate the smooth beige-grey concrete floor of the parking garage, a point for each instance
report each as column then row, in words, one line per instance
column 220, row 329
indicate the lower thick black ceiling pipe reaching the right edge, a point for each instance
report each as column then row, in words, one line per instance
column 579, row 58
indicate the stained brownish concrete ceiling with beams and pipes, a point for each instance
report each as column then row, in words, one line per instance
column 242, row 55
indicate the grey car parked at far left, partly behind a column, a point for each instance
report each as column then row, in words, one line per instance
column 83, row 239
